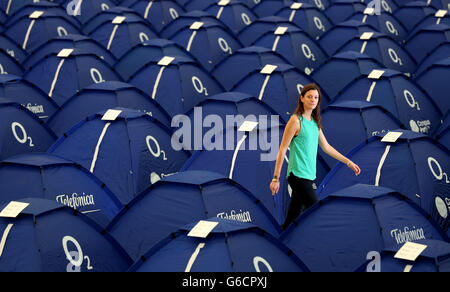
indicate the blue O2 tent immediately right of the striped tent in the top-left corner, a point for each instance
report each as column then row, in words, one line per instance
column 119, row 36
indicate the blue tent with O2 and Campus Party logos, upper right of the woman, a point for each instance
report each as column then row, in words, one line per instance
column 398, row 95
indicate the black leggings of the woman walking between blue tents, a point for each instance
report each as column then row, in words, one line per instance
column 303, row 197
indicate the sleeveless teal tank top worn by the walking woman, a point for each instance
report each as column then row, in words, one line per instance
column 303, row 151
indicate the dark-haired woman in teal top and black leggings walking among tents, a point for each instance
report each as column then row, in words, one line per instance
column 303, row 134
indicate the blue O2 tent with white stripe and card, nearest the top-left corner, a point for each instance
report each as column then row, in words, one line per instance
column 33, row 30
